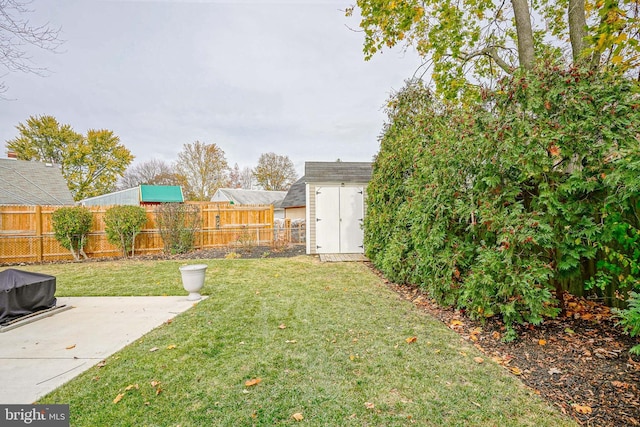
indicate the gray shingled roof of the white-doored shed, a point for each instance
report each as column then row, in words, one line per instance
column 338, row 172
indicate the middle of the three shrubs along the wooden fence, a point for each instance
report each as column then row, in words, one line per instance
column 123, row 223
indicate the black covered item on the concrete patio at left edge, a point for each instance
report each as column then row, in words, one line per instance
column 23, row 292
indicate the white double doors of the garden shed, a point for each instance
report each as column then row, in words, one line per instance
column 339, row 216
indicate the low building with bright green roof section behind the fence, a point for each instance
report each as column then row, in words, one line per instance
column 138, row 196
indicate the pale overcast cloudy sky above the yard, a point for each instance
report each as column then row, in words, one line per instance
column 253, row 77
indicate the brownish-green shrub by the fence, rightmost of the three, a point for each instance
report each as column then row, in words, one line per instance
column 178, row 224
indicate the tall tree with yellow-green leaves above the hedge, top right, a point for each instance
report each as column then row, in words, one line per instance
column 475, row 42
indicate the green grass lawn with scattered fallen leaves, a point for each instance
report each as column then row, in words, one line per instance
column 327, row 341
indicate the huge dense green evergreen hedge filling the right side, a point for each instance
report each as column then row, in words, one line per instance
column 500, row 206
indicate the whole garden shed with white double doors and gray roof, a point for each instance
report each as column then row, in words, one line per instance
column 335, row 206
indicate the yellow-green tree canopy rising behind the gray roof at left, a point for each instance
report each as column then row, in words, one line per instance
column 91, row 164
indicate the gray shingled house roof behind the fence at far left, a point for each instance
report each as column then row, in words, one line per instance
column 32, row 183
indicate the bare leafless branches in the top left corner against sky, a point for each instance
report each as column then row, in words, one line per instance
column 16, row 32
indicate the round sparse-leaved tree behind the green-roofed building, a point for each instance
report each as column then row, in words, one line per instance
column 203, row 168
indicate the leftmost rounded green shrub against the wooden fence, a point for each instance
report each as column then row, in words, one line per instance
column 71, row 226
